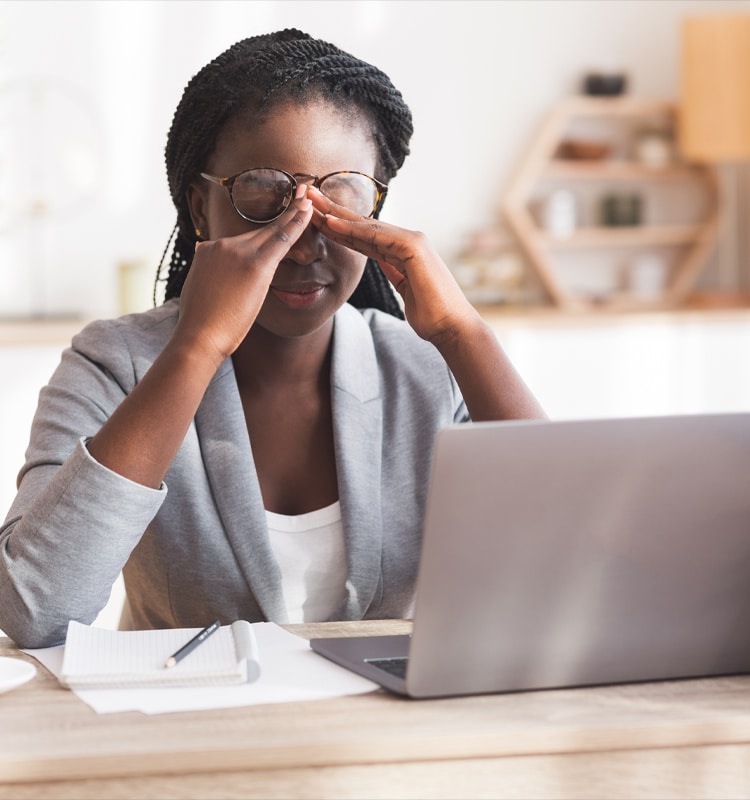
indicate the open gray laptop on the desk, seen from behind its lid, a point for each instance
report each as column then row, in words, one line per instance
column 575, row 553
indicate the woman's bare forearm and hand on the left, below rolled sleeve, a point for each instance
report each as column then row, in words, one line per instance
column 223, row 293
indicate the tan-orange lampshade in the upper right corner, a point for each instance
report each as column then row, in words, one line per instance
column 715, row 105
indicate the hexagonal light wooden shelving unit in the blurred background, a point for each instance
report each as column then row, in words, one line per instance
column 689, row 241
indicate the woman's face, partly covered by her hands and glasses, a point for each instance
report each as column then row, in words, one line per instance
column 317, row 276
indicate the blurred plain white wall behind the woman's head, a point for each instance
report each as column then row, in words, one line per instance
column 479, row 77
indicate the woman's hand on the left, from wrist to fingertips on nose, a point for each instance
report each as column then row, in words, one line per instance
column 229, row 279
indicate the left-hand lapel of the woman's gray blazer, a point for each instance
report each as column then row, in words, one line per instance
column 230, row 468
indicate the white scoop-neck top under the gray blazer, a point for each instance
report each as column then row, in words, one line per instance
column 311, row 554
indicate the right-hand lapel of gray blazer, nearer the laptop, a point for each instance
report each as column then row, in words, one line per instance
column 357, row 426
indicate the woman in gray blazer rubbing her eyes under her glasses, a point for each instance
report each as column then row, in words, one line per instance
column 257, row 447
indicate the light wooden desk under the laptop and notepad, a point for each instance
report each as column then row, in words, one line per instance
column 675, row 739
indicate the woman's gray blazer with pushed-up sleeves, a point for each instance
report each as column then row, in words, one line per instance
column 197, row 548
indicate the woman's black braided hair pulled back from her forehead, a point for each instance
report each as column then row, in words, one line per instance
column 253, row 76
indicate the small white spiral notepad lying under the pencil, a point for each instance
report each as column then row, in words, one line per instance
column 101, row 658
